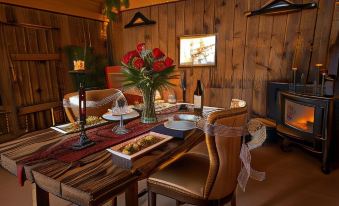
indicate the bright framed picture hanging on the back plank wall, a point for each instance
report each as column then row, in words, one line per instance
column 197, row 50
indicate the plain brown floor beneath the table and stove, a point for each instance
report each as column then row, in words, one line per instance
column 293, row 179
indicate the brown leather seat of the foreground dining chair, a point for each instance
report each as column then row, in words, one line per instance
column 187, row 175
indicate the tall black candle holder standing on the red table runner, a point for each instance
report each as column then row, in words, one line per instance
column 84, row 141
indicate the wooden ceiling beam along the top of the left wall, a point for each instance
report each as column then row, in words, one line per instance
column 81, row 8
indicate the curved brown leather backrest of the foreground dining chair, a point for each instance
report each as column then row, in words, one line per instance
column 224, row 154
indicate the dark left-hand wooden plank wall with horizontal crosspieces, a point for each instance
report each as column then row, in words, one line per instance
column 25, row 81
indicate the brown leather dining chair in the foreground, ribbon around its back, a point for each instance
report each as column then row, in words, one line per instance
column 204, row 180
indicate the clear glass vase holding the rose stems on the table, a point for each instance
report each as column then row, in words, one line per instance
column 148, row 113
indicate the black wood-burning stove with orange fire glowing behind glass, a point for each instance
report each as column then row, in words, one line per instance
column 307, row 120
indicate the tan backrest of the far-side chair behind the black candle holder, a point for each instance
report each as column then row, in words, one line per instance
column 72, row 112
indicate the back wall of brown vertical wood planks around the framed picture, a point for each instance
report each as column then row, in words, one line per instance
column 250, row 51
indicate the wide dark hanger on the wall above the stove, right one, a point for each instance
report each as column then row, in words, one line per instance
column 280, row 7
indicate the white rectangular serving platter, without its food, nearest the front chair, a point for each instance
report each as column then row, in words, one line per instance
column 115, row 149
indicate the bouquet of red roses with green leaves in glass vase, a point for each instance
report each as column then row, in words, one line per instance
column 148, row 71
